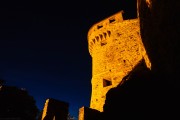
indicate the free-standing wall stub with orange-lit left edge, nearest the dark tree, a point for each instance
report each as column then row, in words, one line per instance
column 55, row 110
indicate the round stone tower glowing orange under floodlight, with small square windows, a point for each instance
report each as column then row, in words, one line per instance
column 116, row 47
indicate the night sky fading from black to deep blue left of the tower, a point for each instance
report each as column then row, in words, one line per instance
column 43, row 46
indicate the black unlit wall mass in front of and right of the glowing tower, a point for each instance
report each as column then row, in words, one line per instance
column 152, row 94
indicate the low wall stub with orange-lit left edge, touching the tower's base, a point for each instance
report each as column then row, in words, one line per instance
column 86, row 113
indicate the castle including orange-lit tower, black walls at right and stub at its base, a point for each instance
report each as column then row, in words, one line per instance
column 119, row 47
